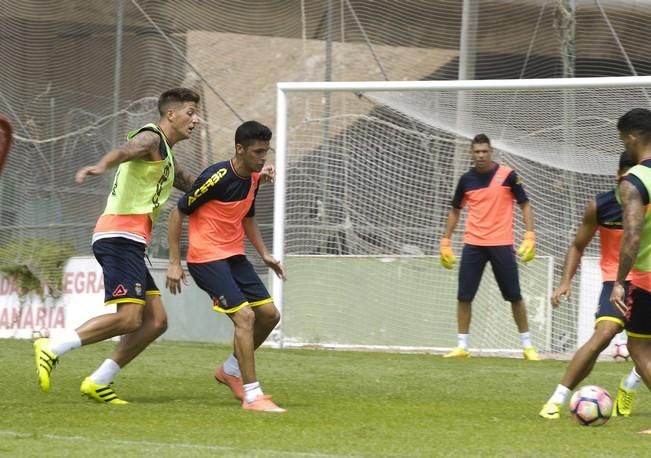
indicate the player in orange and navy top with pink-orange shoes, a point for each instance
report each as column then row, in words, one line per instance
column 221, row 210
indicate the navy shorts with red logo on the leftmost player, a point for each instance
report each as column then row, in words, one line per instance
column 126, row 277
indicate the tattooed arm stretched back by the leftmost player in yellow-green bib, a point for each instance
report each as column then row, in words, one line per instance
column 142, row 145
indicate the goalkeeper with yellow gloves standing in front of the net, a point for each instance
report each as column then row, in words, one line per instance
column 489, row 189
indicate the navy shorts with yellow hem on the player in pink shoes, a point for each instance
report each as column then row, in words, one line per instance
column 231, row 283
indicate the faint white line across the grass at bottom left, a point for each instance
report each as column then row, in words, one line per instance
column 171, row 445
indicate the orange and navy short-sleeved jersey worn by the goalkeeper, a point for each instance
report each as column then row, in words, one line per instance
column 489, row 197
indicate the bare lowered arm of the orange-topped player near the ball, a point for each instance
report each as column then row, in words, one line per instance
column 584, row 235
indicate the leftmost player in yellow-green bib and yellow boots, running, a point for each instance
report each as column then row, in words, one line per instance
column 146, row 173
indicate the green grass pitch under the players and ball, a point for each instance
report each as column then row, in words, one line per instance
column 339, row 404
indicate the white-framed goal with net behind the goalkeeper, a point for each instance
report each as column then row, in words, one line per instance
column 366, row 173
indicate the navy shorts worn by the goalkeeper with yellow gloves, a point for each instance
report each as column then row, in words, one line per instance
column 473, row 262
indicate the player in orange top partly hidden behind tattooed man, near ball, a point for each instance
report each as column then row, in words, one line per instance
column 603, row 214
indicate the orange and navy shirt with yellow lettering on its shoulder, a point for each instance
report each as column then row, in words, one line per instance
column 217, row 204
